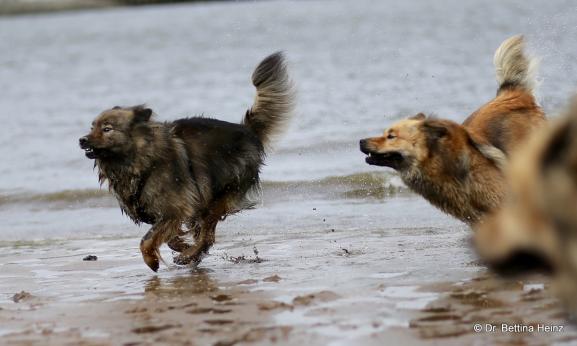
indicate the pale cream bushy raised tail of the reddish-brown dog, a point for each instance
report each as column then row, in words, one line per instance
column 514, row 68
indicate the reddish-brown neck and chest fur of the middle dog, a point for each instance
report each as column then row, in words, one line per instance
column 456, row 177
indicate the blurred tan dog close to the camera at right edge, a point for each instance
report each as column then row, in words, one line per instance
column 536, row 227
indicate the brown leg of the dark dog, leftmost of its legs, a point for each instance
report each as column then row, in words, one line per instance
column 154, row 238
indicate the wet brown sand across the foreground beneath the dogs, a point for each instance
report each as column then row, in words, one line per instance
column 290, row 291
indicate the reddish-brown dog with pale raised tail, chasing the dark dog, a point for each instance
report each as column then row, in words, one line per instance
column 459, row 167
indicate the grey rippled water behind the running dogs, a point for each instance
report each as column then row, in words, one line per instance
column 358, row 66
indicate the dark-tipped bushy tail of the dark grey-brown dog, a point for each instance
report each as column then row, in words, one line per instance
column 274, row 100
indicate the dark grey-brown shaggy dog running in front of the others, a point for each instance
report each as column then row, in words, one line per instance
column 182, row 177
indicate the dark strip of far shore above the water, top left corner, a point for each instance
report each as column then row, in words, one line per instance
column 13, row 8
